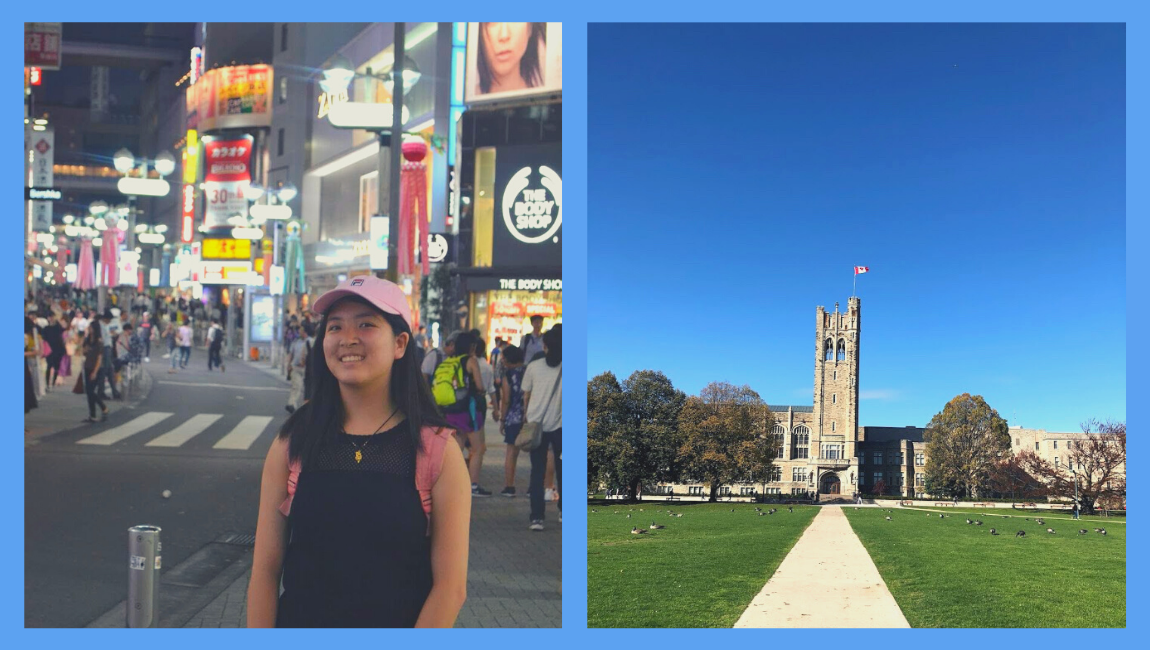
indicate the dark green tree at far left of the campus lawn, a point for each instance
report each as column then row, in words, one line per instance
column 632, row 430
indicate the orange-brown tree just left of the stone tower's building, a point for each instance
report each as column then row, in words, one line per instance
column 724, row 437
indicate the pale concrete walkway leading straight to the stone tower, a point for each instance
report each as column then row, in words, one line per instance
column 827, row 580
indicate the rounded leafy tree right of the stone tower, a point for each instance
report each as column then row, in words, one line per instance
column 964, row 442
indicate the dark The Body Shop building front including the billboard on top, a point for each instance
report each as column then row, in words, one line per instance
column 510, row 235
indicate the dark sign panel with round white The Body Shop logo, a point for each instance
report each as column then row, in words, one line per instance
column 530, row 216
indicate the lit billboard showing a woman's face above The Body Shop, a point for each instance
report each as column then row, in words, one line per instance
column 513, row 60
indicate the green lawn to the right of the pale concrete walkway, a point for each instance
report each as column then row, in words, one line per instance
column 947, row 573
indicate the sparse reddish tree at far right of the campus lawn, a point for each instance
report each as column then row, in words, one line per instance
column 1095, row 462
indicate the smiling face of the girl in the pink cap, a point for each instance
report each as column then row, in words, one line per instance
column 359, row 345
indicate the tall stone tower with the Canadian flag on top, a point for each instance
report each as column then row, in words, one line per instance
column 837, row 397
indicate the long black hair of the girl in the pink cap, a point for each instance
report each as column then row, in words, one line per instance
column 323, row 417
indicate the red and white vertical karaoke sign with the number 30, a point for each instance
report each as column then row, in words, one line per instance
column 227, row 174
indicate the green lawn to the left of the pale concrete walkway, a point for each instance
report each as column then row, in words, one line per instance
column 701, row 571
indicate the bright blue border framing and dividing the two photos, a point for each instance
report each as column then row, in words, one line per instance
column 574, row 17
